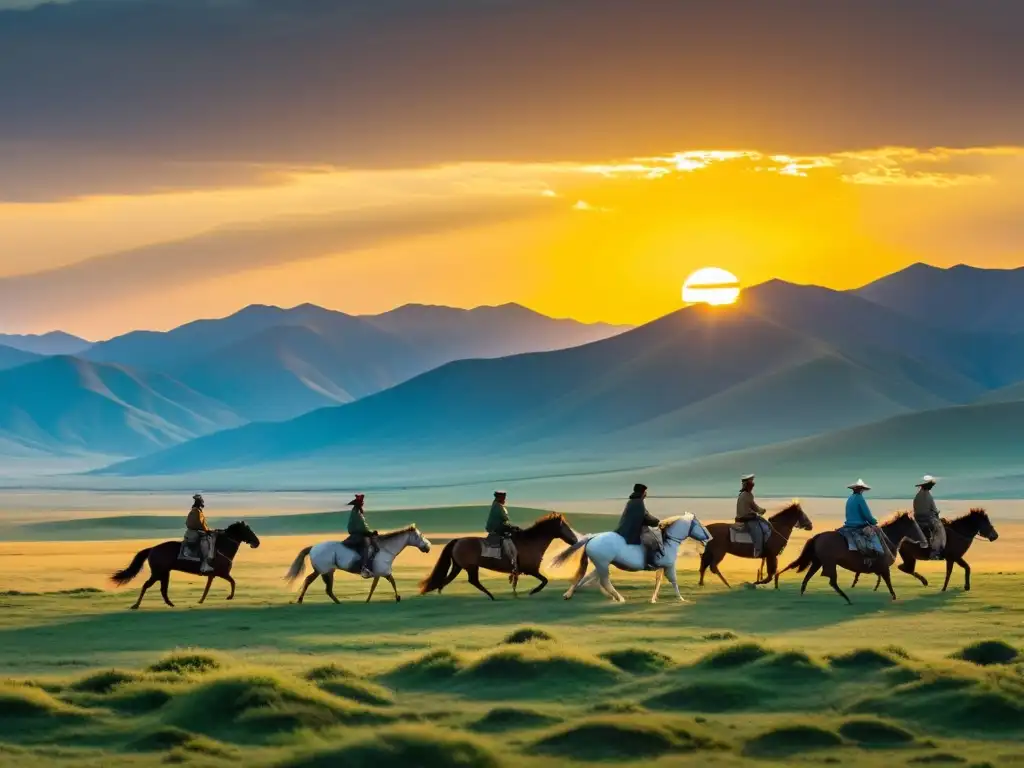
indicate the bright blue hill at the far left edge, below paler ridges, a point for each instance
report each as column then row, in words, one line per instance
column 67, row 406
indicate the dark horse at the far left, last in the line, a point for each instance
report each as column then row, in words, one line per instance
column 164, row 559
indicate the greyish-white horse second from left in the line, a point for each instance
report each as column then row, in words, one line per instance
column 330, row 557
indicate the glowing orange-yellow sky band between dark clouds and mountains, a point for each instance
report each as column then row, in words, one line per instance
column 610, row 241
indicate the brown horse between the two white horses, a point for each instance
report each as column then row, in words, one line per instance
column 531, row 545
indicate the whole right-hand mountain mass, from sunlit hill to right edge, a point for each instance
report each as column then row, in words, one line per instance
column 789, row 367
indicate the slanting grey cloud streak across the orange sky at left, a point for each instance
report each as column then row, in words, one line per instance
column 27, row 301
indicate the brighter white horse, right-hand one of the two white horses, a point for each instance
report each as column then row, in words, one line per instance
column 611, row 549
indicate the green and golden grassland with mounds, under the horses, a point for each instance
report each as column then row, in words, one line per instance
column 734, row 678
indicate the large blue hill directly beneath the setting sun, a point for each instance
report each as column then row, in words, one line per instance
column 789, row 362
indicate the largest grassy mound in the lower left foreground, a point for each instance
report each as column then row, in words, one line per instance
column 257, row 706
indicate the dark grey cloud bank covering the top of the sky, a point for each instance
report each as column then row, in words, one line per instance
column 404, row 82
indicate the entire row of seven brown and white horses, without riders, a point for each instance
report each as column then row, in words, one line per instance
column 825, row 552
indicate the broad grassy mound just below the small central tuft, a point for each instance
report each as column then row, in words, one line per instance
column 530, row 666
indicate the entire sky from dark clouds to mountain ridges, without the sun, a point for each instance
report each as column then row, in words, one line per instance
column 167, row 160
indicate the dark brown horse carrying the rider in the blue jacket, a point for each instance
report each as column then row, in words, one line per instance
column 825, row 551
